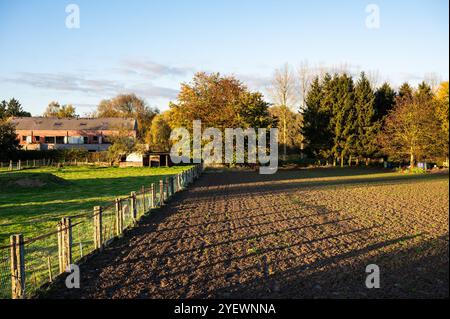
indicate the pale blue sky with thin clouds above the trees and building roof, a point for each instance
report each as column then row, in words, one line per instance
column 151, row 47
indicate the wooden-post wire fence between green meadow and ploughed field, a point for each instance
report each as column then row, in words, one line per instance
column 27, row 264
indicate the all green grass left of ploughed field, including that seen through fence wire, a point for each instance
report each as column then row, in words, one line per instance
column 33, row 201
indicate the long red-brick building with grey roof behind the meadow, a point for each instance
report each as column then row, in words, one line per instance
column 42, row 133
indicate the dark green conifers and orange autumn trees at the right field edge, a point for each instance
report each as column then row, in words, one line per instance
column 346, row 121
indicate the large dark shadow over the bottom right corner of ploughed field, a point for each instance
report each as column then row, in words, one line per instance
column 403, row 274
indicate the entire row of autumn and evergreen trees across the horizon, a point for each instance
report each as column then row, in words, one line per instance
column 331, row 117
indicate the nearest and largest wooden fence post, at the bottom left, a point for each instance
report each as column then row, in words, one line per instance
column 17, row 267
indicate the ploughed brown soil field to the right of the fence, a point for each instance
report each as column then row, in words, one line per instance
column 244, row 235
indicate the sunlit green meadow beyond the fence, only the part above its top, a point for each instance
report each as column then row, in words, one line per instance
column 33, row 201
